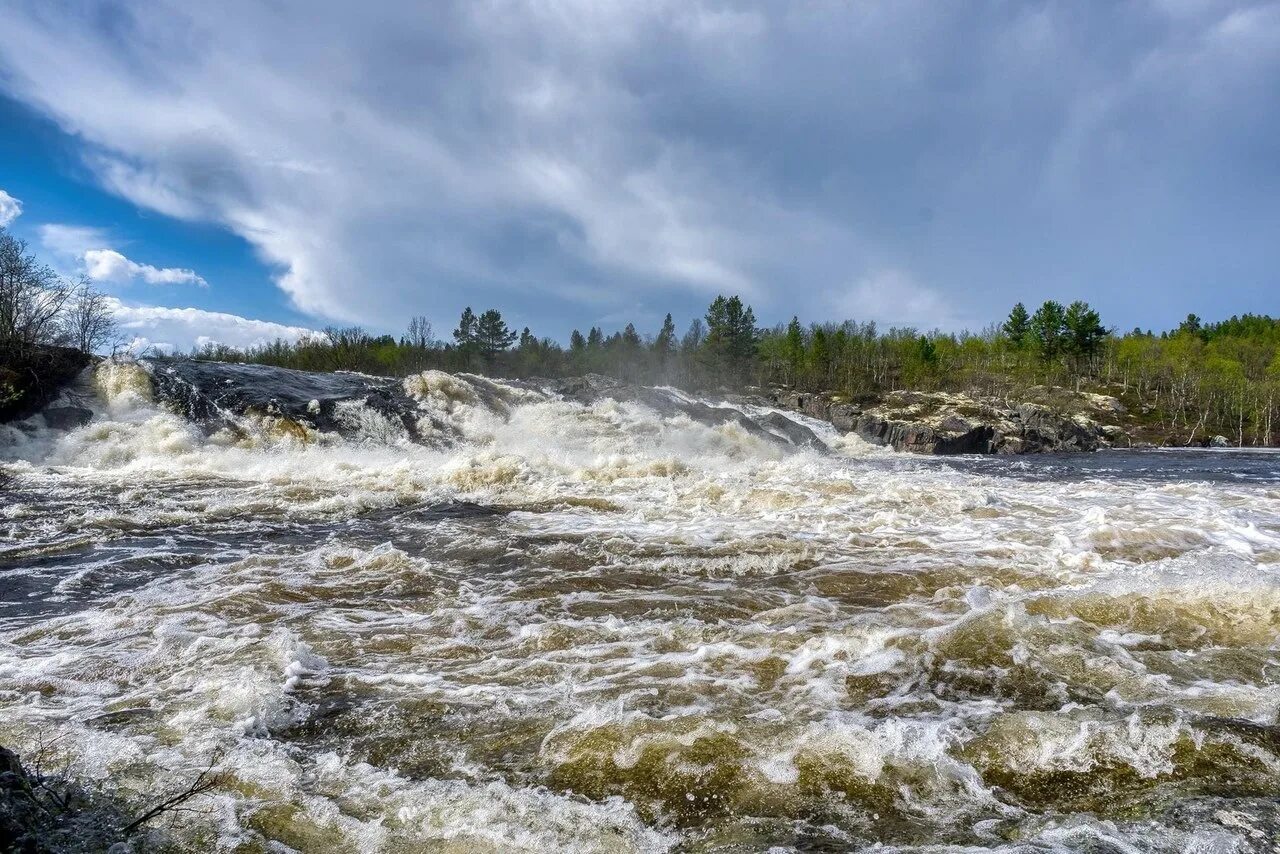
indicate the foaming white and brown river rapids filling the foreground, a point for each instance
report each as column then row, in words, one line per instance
column 545, row 625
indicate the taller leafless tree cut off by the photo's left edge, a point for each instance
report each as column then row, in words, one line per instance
column 31, row 298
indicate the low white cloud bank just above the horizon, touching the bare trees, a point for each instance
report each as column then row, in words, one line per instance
column 181, row 330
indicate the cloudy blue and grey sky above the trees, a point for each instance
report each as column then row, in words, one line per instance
column 241, row 171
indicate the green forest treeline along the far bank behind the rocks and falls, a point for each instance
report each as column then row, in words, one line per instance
column 1186, row 385
